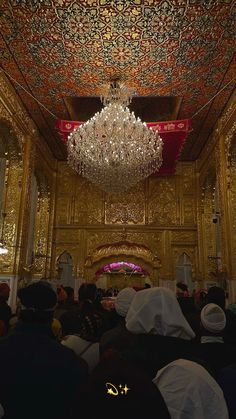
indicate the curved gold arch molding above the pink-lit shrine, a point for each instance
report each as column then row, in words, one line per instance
column 113, row 252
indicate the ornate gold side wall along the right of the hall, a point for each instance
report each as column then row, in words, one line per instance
column 216, row 180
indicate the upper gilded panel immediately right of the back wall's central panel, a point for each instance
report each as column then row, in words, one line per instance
column 162, row 201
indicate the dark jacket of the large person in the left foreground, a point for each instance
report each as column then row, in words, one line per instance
column 39, row 378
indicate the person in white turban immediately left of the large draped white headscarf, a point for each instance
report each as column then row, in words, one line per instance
column 118, row 337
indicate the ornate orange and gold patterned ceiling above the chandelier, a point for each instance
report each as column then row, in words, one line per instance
column 61, row 48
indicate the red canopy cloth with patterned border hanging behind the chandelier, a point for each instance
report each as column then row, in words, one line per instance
column 173, row 134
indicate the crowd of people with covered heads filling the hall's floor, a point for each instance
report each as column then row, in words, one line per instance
column 152, row 351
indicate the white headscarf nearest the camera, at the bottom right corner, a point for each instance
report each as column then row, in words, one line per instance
column 190, row 392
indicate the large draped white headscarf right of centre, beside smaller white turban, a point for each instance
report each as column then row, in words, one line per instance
column 157, row 311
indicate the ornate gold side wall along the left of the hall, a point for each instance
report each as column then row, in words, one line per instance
column 25, row 153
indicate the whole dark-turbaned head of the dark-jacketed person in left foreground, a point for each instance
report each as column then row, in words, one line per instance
column 38, row 301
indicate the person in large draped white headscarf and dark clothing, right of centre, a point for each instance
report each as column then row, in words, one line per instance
column 160, row 333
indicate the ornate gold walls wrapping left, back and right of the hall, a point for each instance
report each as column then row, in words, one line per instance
column 152, row 225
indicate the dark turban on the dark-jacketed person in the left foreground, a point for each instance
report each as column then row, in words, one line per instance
column 38, row 296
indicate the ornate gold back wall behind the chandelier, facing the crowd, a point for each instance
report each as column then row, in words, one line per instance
column 153, row 224
